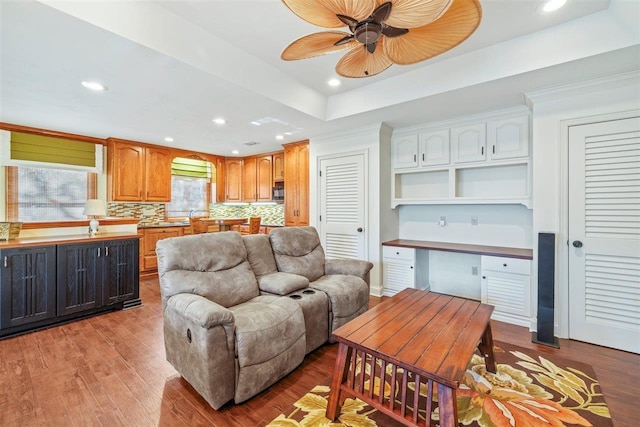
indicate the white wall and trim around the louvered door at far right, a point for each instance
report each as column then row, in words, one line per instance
column 553, row 110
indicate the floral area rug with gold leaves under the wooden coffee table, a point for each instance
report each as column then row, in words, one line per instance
column 529, row 389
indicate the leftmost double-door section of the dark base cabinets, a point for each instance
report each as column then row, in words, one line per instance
column 27, row 285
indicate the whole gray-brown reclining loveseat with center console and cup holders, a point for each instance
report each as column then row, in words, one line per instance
column 241, row 312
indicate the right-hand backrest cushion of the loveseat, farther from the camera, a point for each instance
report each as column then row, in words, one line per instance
column 298, row 250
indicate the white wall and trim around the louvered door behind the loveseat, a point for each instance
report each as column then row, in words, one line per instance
column 381, row 221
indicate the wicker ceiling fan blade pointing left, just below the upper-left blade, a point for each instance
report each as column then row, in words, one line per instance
column 317, row 44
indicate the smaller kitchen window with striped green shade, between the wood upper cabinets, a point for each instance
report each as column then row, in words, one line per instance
column 190, row 188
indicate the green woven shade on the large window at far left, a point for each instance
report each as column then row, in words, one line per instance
column 45, row 149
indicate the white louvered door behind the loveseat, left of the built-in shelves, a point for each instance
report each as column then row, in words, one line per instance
column 342, row 206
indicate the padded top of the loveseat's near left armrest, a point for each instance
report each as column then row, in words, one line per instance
column 200, row 310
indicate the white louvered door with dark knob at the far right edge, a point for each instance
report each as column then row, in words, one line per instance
column 604, row 233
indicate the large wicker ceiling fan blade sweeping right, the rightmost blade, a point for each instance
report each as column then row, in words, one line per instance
column 455, row 26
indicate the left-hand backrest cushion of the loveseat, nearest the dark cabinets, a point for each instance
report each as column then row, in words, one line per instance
column 213, row 265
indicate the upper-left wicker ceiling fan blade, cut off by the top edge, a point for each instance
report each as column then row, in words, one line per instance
column 323, row 12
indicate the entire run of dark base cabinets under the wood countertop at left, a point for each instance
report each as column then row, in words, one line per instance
column 44, row 285
